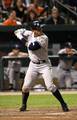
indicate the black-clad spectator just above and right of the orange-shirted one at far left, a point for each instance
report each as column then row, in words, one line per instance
column 21, row 10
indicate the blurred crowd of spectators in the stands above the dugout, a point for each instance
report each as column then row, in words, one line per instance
column 19, row 12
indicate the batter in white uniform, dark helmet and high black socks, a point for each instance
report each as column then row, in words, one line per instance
column 37, row 44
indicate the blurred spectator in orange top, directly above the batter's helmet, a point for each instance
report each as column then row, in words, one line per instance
column 41, row 12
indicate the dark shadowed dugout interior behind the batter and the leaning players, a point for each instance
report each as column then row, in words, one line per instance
column 58, row 35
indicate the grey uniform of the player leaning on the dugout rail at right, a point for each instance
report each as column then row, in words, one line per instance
column 64, row 67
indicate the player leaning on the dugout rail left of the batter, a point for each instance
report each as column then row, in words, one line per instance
column 14, row 67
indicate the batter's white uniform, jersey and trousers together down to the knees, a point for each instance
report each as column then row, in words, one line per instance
column 39, row 64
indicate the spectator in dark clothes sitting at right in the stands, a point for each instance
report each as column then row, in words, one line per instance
column 55, row 17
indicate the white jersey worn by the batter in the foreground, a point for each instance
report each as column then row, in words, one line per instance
column 40, row 54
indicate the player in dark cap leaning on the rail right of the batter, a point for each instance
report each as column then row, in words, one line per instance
column 65, row 64
